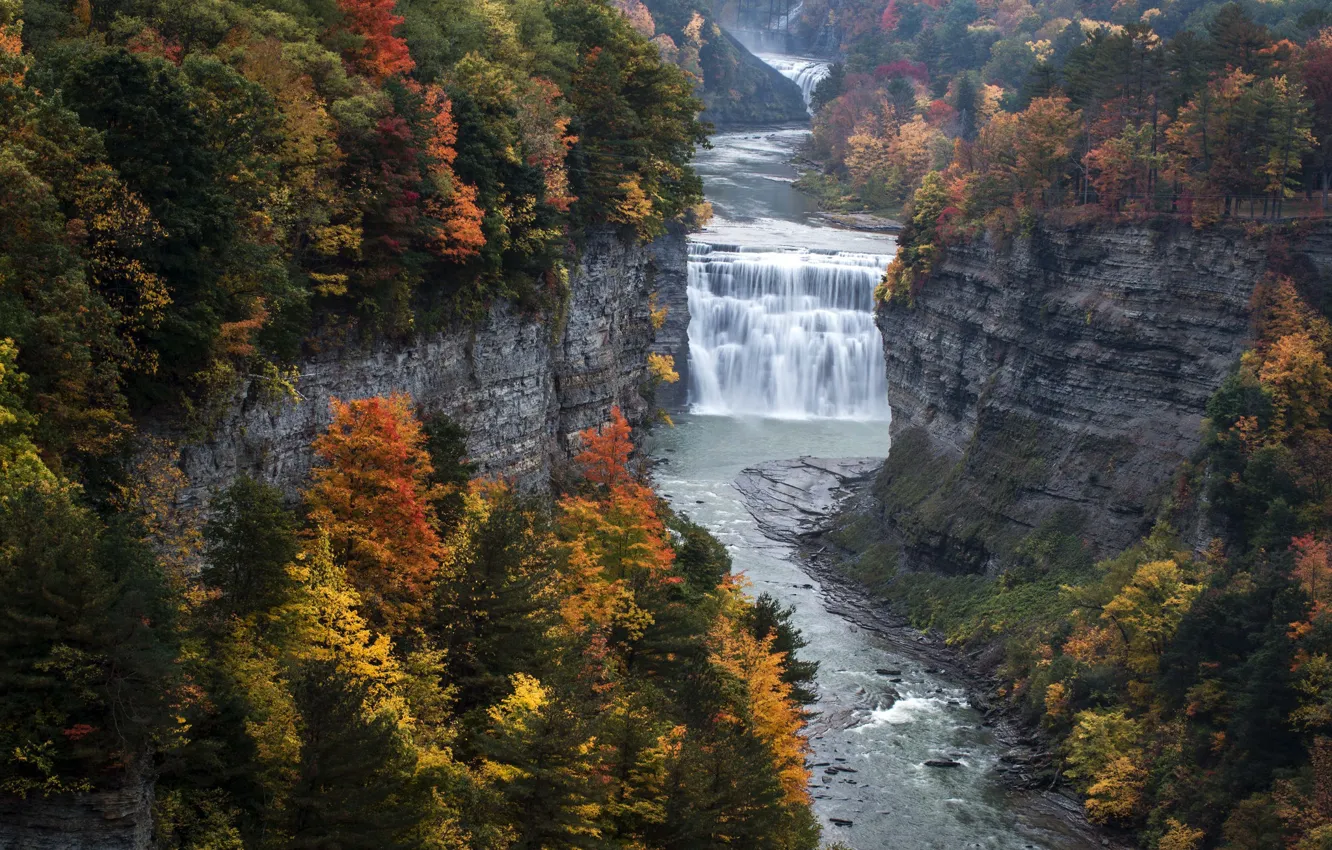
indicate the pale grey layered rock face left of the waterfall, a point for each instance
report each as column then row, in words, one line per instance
column 523, row 386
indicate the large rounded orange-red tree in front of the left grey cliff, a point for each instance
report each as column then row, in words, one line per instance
column 374, row 499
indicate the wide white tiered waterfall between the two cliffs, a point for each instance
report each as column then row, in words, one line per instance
column 785, row 332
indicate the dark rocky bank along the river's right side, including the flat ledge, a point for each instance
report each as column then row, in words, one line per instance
column 793, row 502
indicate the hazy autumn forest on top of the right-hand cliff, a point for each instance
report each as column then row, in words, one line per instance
column 1191, row 110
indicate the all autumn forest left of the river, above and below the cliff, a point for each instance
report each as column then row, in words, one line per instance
column 196, row 194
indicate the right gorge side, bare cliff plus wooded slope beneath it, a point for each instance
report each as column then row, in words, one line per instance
column 1106, row 482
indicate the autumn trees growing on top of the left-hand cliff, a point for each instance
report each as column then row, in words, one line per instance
column 190, row 190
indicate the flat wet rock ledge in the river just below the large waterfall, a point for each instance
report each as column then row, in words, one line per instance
column 796, row 498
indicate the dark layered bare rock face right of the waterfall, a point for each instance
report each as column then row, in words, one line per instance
column 1064, row 371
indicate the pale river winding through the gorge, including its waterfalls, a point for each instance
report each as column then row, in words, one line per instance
column 785, row 363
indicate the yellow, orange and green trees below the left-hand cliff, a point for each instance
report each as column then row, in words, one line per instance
column 378, row 673
